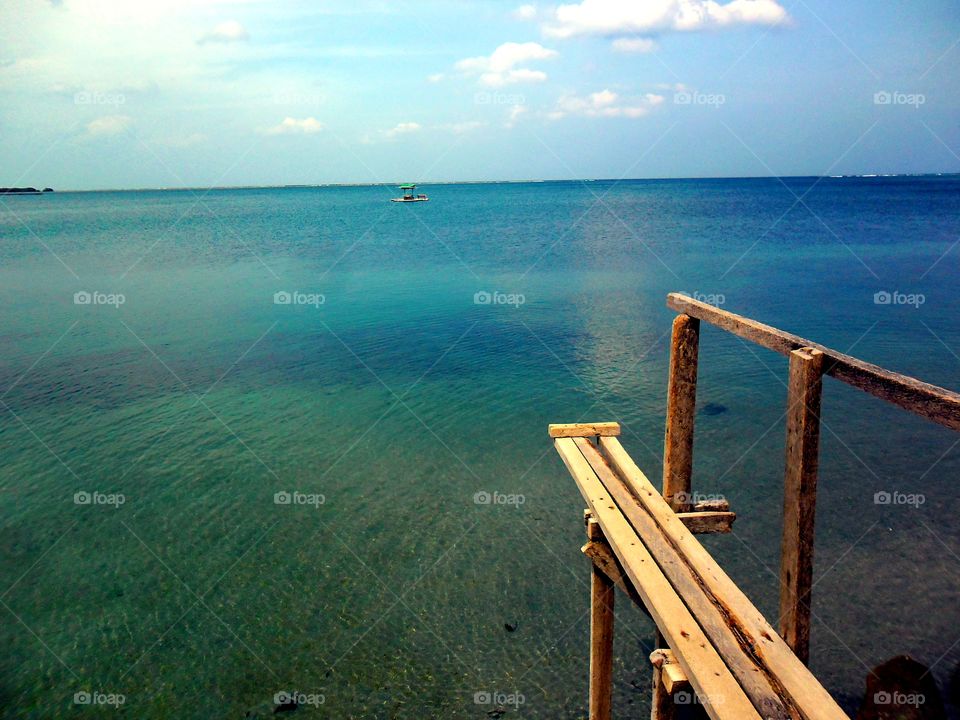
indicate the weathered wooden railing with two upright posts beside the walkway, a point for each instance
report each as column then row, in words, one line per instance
column 809, row 362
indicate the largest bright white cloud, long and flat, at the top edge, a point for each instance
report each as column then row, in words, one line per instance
column 615, row 17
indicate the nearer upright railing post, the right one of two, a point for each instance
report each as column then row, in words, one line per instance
column 800, row 497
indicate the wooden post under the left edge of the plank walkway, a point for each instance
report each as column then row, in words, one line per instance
column 601, row 635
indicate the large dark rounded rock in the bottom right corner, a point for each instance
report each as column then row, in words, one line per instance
column 901, row 689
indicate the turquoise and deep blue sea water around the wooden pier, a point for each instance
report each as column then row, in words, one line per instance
column 399, row 401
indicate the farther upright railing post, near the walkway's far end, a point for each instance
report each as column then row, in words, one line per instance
column 681, row 412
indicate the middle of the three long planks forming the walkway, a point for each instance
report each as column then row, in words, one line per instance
column 752, row 676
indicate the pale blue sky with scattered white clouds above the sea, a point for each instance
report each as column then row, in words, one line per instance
column 98, row 94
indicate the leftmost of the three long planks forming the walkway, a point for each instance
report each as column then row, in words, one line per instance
column 710, row 677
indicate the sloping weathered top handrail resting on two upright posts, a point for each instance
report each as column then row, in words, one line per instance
column 930, row 401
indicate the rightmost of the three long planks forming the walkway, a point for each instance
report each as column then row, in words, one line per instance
column 795, row 679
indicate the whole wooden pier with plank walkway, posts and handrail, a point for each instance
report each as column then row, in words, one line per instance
column 716, row 649
